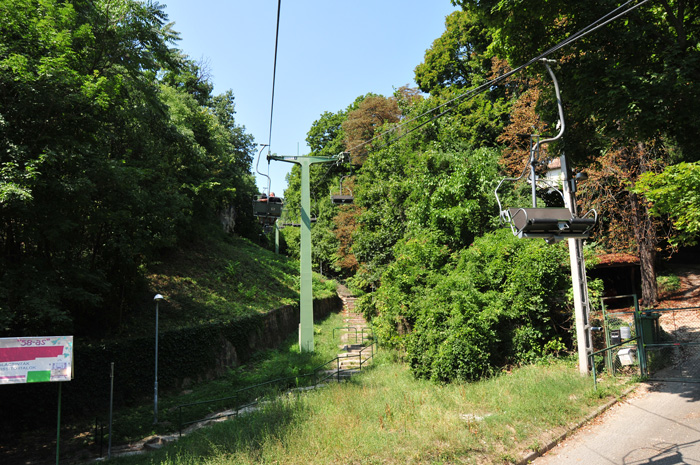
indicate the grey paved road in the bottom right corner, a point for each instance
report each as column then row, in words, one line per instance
column 657, row 425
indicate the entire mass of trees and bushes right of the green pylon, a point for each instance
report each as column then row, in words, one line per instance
column 458, row 296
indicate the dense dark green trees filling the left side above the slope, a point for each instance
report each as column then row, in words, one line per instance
column 112, row 148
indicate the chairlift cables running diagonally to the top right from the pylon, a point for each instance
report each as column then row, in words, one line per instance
column 481, row 88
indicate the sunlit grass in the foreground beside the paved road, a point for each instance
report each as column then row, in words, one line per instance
column 386, row 416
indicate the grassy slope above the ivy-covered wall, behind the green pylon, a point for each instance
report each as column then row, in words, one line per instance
column 217, row 281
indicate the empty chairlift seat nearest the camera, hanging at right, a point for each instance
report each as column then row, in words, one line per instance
column 552, row 224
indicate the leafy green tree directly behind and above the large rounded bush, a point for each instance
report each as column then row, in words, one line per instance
column 403, row 192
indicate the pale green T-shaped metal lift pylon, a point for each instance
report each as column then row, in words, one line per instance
column 306, row 303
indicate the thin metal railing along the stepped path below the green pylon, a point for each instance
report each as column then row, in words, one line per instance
column 282, row 384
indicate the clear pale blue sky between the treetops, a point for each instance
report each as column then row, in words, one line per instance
column 329, row 53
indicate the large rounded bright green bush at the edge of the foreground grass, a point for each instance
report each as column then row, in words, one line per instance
column 464, row 315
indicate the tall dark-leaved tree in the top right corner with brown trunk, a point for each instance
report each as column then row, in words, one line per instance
column 631, row 83
